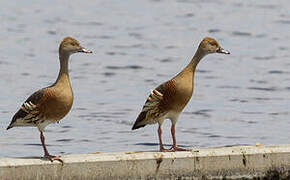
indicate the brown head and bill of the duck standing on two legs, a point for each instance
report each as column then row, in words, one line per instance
column 209, row 45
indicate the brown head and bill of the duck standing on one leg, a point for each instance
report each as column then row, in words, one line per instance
column 70, row 45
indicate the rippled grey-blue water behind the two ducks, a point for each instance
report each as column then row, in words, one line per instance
column 242, row 98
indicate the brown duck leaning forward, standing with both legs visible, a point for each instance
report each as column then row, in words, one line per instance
column 168, row 100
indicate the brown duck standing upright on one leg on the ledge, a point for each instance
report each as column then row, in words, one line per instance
column 50, row 104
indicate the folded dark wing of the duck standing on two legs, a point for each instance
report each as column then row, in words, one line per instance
column 157, row 104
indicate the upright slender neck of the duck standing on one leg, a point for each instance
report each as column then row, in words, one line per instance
column 63, row 76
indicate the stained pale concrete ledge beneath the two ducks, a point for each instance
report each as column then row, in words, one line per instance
column 211, row 163
